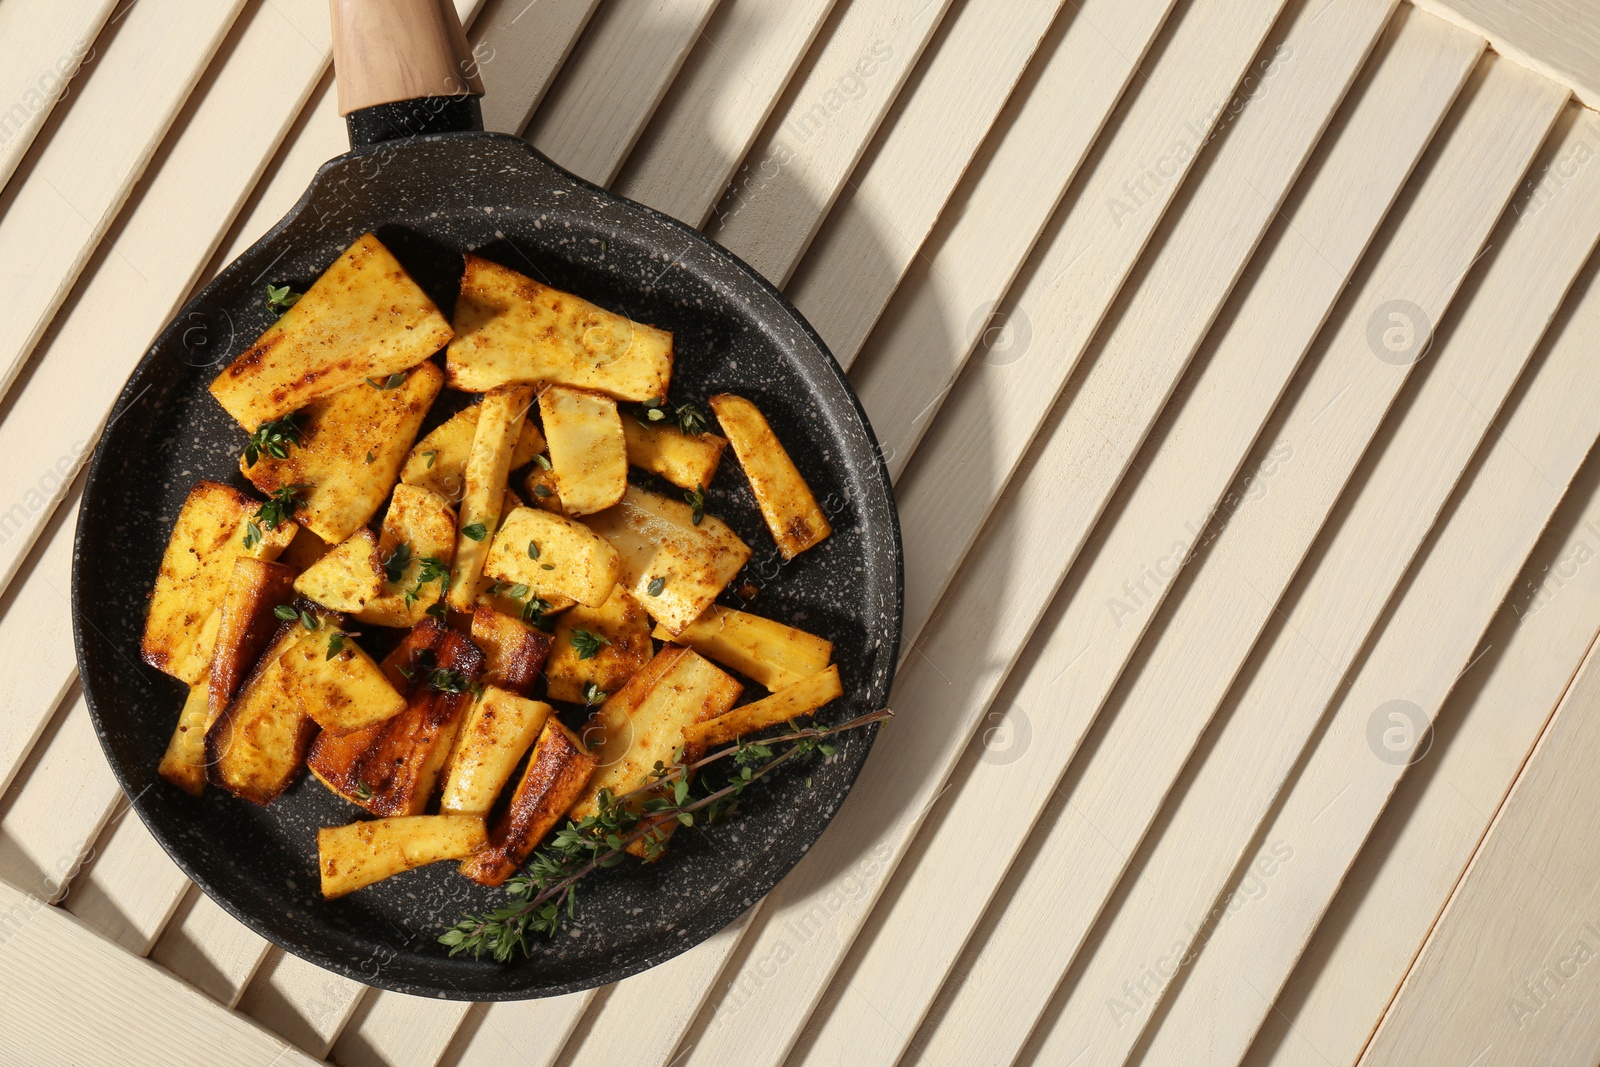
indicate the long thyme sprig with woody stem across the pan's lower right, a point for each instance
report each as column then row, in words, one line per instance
column 546, row 890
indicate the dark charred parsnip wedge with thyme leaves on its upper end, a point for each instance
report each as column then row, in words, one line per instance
column 393, row 769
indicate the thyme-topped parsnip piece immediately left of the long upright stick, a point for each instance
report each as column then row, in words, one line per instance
column 418, row 543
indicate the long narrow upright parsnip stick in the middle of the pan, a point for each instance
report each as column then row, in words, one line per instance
column 500, row 422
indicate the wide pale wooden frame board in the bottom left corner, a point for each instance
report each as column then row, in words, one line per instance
column 87, row 1002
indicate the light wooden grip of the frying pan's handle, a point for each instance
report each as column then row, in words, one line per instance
column 401, row 50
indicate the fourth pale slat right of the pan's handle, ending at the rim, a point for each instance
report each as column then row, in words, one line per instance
column 814, row 140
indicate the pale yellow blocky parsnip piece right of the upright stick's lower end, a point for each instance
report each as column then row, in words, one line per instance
column 553, row 557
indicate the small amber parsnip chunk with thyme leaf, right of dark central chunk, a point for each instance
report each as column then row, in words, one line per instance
column 599, row 649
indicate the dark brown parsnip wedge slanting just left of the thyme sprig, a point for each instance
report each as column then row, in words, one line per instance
column 558, row 773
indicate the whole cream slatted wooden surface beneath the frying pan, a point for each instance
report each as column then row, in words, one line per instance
column 1236, row 366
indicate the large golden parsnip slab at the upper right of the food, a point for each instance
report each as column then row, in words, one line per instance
column 511, row 329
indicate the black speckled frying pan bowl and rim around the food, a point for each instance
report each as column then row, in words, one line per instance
column 431, row 199
